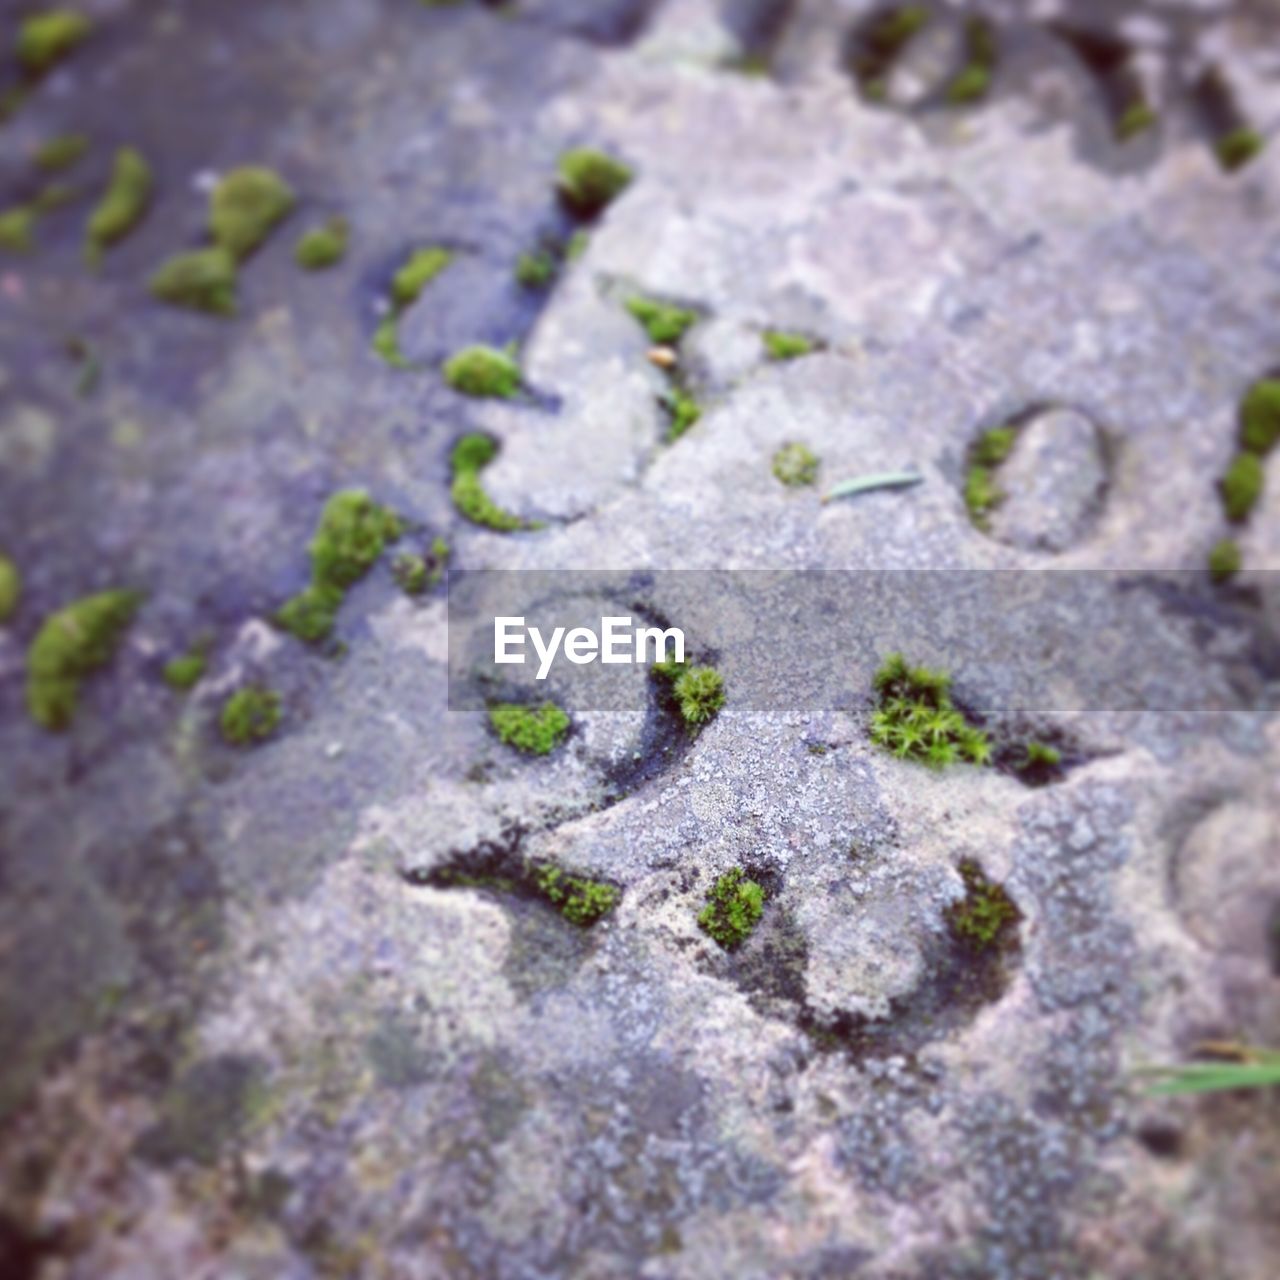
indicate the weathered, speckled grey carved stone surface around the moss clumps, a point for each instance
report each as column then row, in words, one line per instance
column 250, row 1031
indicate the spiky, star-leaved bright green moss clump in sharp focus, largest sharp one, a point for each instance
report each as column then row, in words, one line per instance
column 917, row 721
